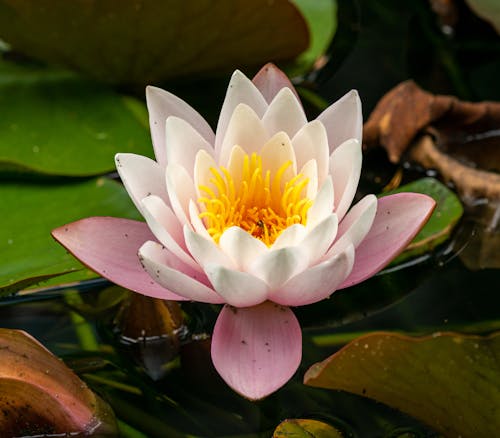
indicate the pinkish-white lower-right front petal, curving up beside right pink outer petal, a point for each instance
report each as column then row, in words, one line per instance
column 316, row 283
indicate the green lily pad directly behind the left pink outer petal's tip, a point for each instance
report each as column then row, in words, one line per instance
column 28, row 253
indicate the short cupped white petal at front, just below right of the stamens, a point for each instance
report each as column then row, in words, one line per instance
column 277, row 266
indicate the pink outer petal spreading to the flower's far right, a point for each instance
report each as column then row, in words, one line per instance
column 399, row 218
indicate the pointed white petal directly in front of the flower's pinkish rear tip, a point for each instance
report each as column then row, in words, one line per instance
column 285, row 113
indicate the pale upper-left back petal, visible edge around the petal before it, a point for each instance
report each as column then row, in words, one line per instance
column 162, row 105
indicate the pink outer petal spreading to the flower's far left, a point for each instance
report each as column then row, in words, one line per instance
column 109, row 246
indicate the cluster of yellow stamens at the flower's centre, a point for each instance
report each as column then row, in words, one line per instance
column 262, row 204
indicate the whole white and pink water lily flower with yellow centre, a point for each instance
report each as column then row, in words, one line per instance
column 257, row 217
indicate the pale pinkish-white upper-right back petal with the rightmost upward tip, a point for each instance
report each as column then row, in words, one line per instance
column 343, row 120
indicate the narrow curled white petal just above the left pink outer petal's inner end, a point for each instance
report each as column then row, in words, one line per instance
column 167, row 228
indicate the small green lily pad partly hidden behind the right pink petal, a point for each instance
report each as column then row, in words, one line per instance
column 440, row 225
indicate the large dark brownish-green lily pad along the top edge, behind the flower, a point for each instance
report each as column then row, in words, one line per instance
column 130, row 42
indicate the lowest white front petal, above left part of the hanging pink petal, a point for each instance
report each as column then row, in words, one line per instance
column 238, row 289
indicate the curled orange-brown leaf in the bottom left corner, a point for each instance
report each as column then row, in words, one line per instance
column 40, row 396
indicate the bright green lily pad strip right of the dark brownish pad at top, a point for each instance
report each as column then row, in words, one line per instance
column 321, row 17
